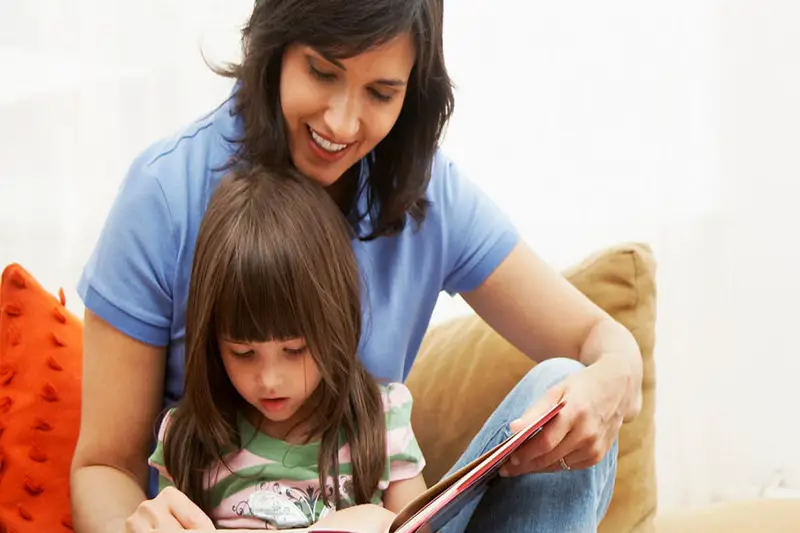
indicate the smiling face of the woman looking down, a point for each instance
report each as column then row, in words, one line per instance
column 336, row 111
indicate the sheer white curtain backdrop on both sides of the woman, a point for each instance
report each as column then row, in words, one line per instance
column 590, row 123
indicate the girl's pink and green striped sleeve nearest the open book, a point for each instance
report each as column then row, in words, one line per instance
column 405, row 458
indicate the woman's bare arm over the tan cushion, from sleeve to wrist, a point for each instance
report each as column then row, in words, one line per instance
column 537, row 310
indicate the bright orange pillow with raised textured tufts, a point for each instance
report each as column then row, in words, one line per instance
column 40, row 372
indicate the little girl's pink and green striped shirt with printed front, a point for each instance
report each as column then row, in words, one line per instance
column 271, row 483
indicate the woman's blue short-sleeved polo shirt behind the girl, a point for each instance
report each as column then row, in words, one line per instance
column 137, row 277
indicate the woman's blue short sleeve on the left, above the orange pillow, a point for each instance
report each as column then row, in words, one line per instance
column 128, row 279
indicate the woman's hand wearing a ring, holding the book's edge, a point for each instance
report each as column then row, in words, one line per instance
column 585, row 429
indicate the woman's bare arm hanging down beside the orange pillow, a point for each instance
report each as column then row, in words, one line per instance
column 122, row 390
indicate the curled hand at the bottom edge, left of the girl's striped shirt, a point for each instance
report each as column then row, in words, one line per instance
column 170, row 511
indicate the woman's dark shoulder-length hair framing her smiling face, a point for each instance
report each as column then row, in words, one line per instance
column 400, row 170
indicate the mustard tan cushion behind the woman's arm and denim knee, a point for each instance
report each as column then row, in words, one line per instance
column 464, row 369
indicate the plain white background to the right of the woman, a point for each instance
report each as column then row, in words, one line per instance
column 673, row 123
